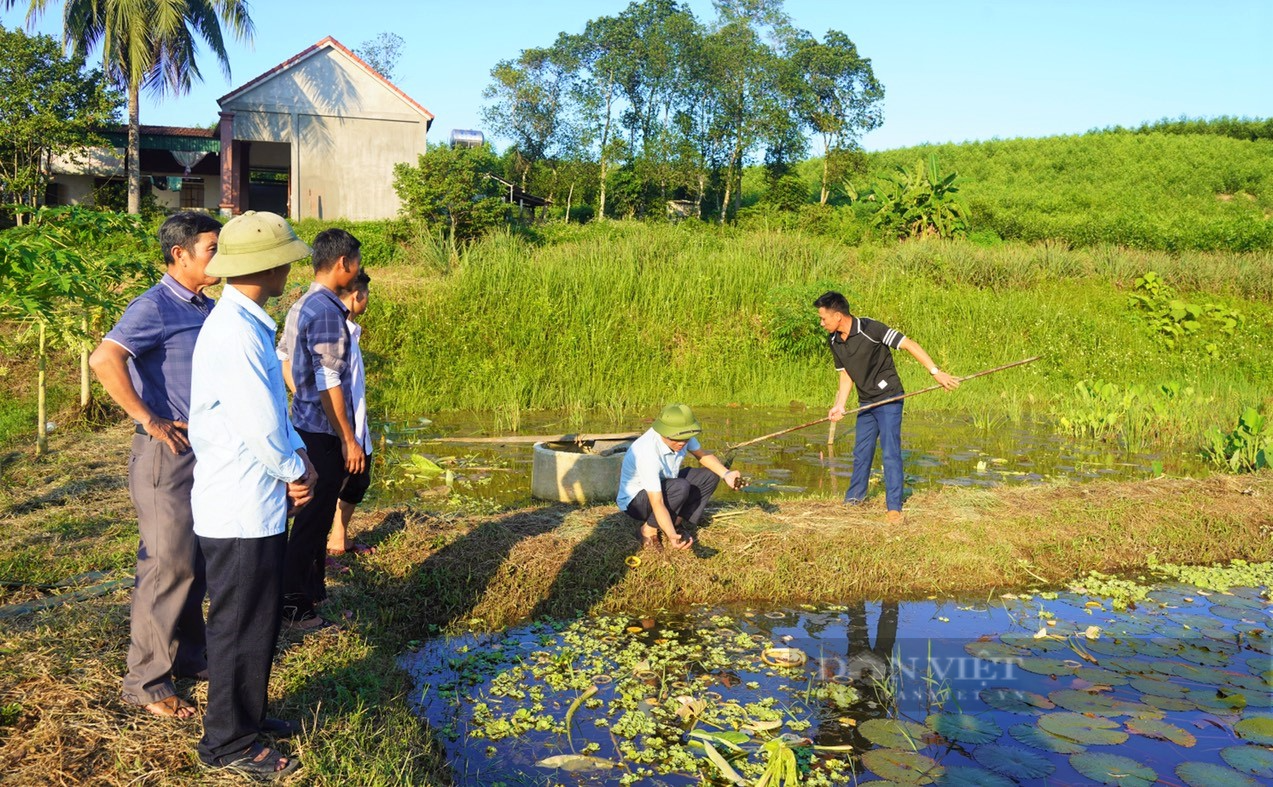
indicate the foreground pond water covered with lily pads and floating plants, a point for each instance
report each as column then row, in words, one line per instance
column 1044, row 690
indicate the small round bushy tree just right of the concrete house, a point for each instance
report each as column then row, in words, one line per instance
column 454, row 190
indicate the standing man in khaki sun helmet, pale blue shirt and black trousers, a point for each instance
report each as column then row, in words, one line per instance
column 253, row 471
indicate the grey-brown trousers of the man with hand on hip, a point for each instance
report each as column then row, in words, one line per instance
column 167, row 634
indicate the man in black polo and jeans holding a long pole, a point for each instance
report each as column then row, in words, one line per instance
column 864, row 357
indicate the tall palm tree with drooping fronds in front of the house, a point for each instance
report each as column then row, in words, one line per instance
column 148, row 44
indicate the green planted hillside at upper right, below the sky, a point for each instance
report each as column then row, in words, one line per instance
column 1159, row 190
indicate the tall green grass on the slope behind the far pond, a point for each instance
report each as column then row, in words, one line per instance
column 626, row 318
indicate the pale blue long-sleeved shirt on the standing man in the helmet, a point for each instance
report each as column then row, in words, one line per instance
column 245, row 445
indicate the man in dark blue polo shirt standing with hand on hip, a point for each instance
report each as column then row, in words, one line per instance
column 144, row 365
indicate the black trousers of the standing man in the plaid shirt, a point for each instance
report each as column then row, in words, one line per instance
column 305, row 583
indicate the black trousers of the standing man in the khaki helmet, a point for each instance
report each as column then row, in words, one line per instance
column 244, row 589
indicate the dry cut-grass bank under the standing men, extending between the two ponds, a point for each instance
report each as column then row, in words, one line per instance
column 62, row 720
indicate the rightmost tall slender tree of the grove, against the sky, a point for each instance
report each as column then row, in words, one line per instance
column 841, row 100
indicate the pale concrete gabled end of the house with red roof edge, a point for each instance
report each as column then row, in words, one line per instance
column 338, row 128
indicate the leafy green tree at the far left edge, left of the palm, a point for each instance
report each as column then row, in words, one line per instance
column 49, row 108
